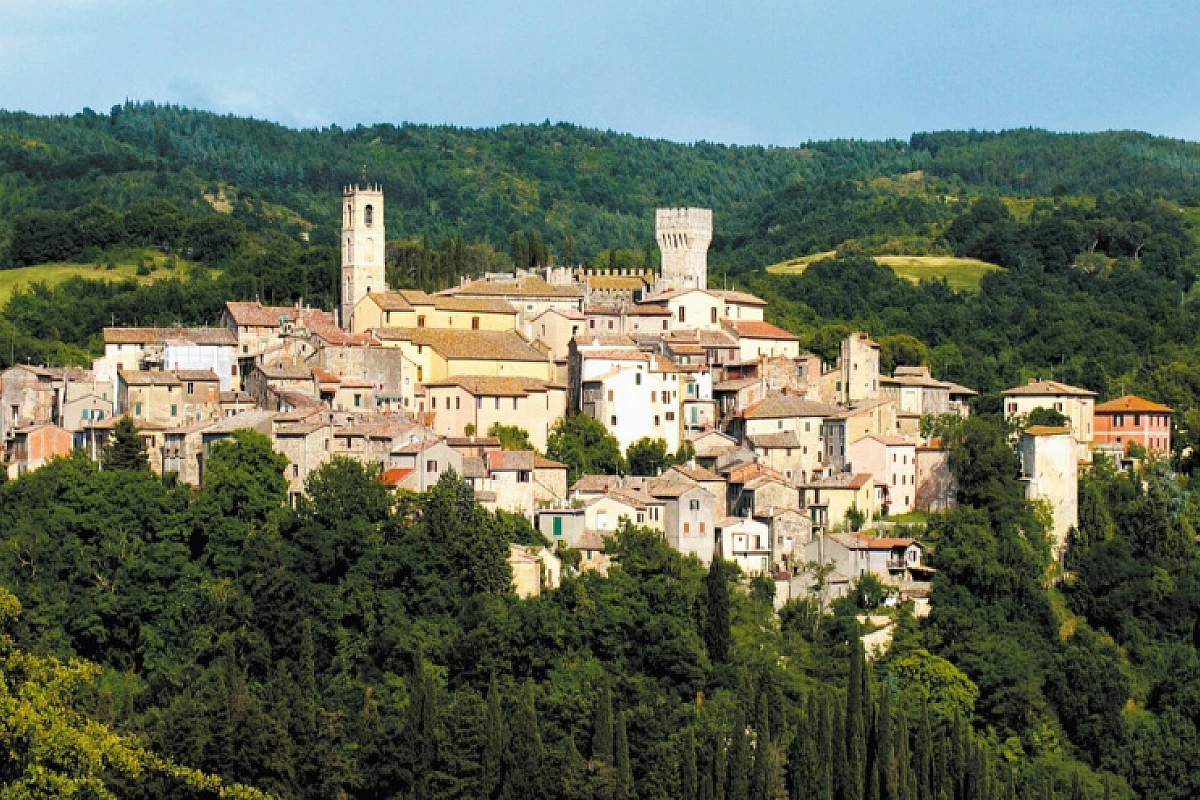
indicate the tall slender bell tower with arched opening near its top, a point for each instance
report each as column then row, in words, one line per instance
column 363, row 248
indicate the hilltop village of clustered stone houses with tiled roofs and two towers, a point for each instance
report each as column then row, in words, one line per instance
column 783, row 460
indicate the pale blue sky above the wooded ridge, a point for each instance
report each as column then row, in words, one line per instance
column 754, row 73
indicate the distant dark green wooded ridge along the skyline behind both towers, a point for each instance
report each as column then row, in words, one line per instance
column 556, row 181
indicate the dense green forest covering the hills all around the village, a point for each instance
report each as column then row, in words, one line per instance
column 158, row 640
